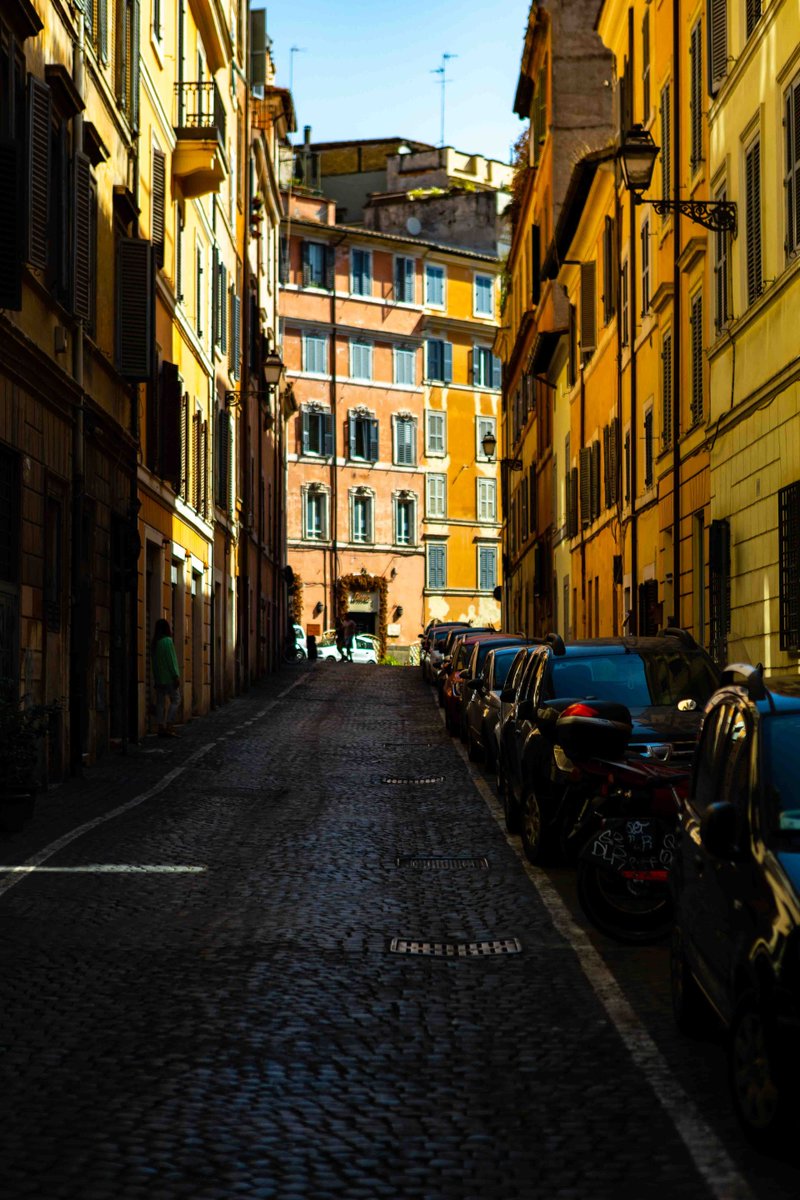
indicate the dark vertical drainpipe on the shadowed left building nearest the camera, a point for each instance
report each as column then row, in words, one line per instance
column 79, row 647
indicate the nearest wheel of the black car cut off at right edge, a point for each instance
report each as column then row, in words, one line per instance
column 762, row 1097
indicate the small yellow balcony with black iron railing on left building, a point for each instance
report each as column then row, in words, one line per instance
column 200, row 159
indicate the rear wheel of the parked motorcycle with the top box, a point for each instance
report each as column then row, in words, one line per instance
column 621, row 909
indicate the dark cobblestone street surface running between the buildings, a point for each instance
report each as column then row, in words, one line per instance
column 201, row 1000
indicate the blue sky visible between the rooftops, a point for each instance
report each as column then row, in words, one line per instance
column 365, row 69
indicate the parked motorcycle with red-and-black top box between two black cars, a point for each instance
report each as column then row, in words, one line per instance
column 619, row 814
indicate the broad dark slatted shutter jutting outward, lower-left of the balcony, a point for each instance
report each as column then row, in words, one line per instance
column 135, row 309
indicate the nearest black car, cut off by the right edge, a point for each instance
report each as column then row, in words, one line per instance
column 736, row 884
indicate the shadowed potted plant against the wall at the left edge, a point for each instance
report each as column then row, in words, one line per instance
column 22, row 728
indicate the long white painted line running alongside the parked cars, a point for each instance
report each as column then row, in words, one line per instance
column 708, row 1154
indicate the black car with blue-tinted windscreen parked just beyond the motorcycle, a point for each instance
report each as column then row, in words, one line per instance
column 665, row 682
